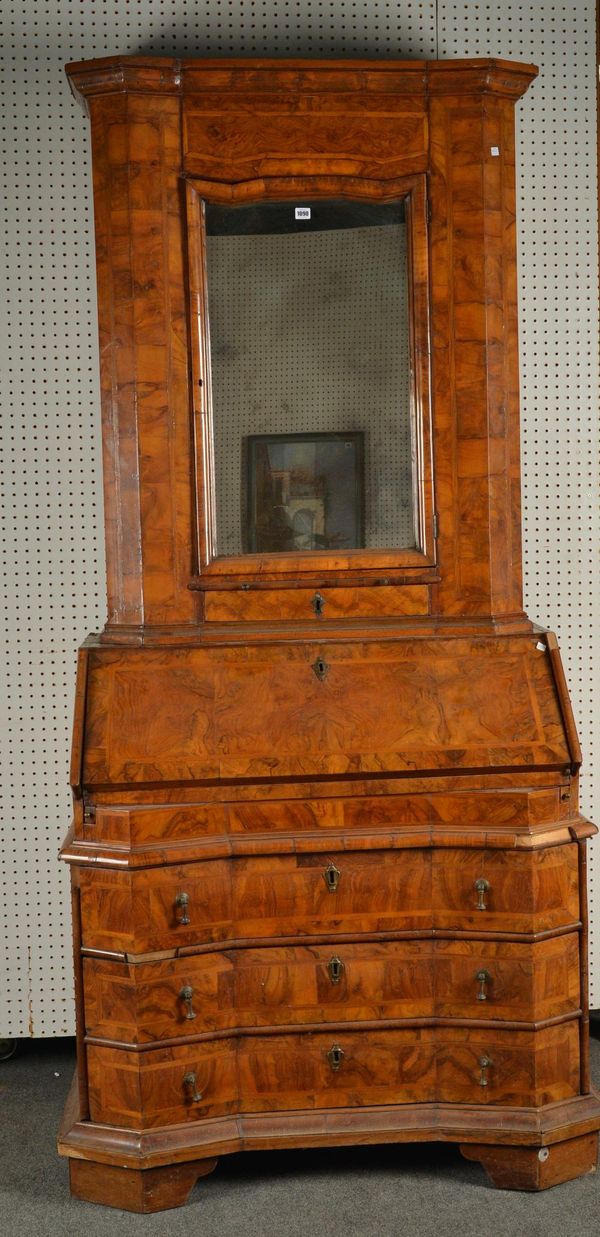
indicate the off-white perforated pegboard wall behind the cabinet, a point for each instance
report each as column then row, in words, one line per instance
column 53, row 546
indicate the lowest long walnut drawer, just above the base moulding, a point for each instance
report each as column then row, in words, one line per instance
column 332, row 1069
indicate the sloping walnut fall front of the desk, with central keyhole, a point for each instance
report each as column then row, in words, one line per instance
column 398, row 706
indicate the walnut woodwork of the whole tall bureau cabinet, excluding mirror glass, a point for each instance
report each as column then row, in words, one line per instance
column 328, row 864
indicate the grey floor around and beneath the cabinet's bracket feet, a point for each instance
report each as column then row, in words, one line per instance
column 425, row 1191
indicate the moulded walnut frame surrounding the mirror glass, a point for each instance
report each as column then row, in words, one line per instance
column 357, row 566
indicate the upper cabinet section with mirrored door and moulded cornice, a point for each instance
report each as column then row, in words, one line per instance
column 309, row 328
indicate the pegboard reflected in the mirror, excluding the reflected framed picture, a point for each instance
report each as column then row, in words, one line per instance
column 305, row 341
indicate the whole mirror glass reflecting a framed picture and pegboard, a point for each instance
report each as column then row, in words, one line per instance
column 311, row 377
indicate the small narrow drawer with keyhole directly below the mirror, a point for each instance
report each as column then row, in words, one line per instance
column 272, row 606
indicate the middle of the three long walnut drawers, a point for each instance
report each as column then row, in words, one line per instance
column 145, row 1003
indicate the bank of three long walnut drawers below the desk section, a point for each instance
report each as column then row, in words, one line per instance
column 353, row 978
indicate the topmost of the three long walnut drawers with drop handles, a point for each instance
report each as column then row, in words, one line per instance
column 310, row 895
